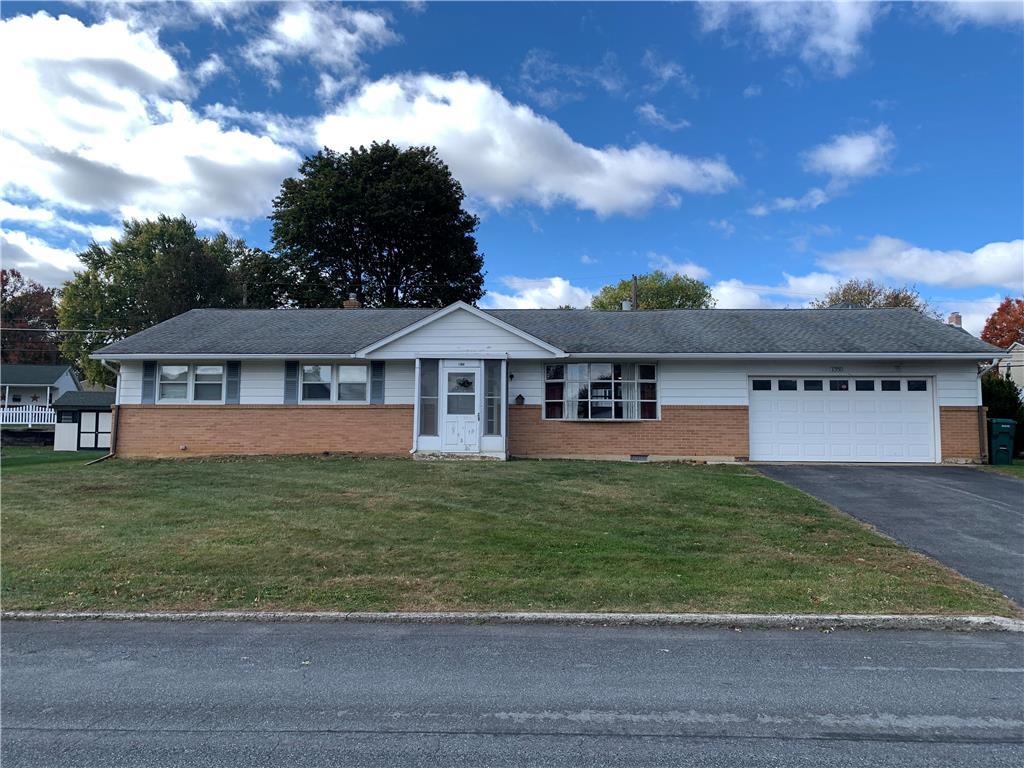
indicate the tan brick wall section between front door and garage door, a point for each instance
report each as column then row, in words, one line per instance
column 684, row 433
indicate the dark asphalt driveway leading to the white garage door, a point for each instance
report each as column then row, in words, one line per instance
column 970, row 520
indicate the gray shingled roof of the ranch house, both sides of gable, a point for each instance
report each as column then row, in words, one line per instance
column 300, row 332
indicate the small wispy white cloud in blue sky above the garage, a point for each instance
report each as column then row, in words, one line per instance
column 844, row 159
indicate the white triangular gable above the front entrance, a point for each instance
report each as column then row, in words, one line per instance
column 460, row 335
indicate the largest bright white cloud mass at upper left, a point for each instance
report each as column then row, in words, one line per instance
column 100, row 125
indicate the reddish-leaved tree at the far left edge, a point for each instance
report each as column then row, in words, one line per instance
column 27, row 305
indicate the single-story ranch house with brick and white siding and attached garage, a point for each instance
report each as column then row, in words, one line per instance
column 830, row 386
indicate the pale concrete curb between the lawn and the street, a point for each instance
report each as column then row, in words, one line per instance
column 693, row 621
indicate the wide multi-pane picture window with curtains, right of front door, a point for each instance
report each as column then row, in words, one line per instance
column 601, row 392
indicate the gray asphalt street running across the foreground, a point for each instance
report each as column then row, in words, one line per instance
column 336, row 695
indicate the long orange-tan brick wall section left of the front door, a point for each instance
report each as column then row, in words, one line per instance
column 211, row 431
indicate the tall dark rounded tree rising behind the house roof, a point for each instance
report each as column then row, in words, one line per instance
column 382, row 223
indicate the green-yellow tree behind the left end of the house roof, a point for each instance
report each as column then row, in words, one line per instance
column 155, row 271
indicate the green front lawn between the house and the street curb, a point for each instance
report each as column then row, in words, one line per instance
column 396, row 535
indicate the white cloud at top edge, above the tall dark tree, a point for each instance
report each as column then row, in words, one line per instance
column 329, row 35
